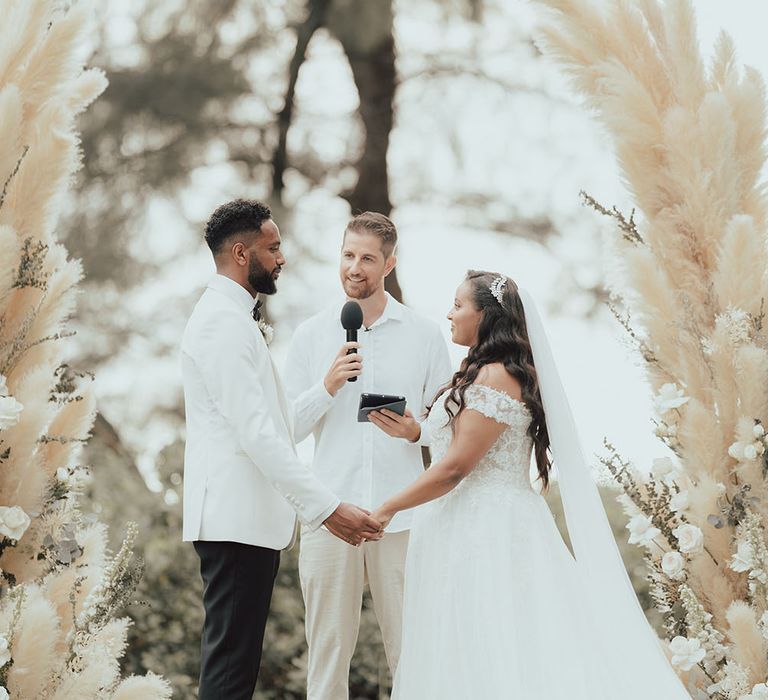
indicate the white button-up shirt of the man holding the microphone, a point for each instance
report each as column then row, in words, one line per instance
column 403, row 353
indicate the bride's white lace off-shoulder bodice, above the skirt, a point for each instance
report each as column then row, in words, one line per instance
column 506, row 465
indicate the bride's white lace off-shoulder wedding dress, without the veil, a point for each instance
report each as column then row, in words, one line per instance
column 492, row 607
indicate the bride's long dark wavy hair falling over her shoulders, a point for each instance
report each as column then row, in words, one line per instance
column 502, row 336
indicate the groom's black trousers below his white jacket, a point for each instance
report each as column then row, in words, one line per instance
column 237, row 590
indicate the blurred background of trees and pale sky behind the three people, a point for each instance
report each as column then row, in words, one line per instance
column 439, row 113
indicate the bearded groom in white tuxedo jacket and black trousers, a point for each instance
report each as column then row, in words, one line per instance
column 243, row 483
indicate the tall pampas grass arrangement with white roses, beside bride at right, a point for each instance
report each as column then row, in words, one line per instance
column 693, row 277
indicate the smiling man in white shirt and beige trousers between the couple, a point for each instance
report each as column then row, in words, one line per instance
column 401, row 353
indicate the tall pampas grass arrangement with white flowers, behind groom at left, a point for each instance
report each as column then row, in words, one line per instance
column 59, row 585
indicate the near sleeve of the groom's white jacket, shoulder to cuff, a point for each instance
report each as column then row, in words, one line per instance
column 233, row 382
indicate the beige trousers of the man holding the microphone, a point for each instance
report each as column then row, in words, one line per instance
column 332, row 575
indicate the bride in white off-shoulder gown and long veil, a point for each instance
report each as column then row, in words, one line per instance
column 495, row 605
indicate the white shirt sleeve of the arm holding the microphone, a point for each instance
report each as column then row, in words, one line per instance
column 307, row 393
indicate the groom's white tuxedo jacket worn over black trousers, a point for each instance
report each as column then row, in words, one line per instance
column 242, row 479
